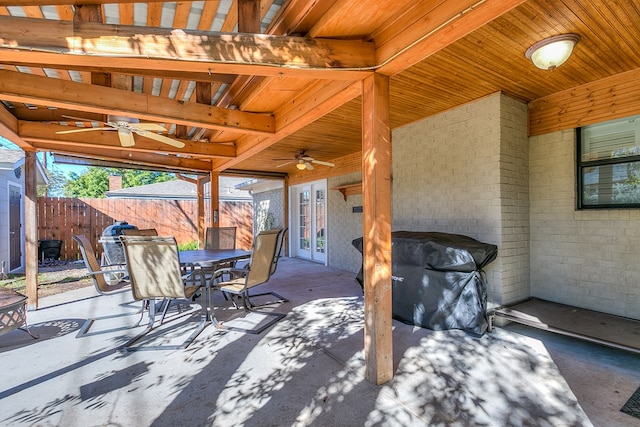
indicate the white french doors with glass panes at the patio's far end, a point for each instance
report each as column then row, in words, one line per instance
column 309, row 237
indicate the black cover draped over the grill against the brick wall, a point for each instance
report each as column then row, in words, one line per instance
column 436, row 280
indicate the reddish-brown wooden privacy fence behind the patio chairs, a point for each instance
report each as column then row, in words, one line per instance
column 61, row 218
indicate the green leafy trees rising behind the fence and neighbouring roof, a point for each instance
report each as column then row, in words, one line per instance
column 94, row 183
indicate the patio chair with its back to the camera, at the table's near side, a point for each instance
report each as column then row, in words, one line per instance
column 155, row 274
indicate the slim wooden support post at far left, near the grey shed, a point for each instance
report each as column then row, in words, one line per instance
column 31, row 229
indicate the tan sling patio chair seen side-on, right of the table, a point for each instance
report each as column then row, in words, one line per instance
column 257, row 272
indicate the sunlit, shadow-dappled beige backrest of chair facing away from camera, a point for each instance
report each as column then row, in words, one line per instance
column 154, row 267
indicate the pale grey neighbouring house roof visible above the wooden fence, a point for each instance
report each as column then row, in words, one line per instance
column 180, row 190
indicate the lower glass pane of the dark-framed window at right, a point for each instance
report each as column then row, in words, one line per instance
column 611, row 184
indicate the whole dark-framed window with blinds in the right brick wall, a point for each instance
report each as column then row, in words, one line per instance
column 609, row 164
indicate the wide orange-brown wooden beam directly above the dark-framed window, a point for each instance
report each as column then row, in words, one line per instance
column 606, row 99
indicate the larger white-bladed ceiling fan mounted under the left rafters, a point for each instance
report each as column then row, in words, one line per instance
column 126, row 127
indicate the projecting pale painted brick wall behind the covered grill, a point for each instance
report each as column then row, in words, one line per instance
column 465, row 171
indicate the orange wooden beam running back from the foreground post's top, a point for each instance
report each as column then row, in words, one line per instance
column 316, row 101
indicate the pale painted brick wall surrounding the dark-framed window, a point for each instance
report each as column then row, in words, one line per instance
column 583, row 258
